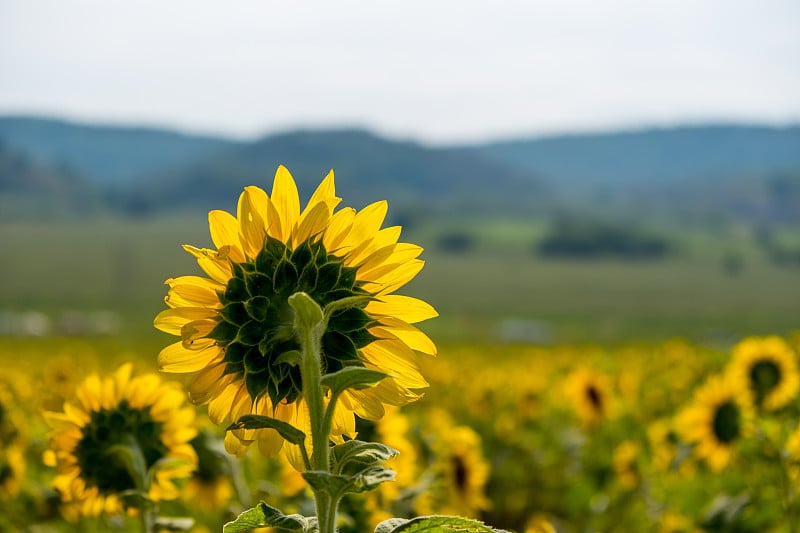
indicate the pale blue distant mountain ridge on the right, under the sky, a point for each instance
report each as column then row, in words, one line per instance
column 617, row 159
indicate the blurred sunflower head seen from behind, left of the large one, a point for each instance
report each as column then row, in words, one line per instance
column 116, row 411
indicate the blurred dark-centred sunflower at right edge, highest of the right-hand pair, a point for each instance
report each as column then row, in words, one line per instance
column 767, row 368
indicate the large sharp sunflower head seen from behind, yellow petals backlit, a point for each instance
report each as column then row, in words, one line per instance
column 236, row 326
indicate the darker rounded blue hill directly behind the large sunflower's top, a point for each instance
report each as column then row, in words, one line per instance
column 367, row 168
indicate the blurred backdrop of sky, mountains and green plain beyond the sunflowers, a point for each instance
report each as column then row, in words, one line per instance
column 577, row 171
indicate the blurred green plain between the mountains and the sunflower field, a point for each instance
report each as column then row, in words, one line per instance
column 119, row 265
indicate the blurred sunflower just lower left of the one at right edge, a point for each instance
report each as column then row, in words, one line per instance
column 716, row 420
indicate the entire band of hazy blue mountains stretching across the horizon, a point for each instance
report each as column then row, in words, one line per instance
column 699, row 172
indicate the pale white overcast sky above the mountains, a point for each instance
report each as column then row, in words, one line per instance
column 444, row 71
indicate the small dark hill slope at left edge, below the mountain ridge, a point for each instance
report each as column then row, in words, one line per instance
column 32, row 190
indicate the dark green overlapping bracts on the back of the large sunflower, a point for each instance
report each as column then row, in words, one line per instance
column 256, row 330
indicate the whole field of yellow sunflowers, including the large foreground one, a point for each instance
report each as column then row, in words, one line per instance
column 107, row 431
